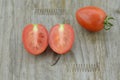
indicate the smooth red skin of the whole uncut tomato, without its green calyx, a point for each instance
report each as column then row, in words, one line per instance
column 91, row 18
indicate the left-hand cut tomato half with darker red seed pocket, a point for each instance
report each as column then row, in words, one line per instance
column 35, row 38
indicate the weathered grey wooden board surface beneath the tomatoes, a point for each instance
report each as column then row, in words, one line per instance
column 94, row 56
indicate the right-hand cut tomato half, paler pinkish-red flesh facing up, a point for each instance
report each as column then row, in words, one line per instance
column 61, row 38
